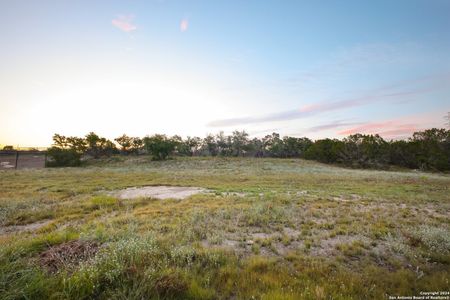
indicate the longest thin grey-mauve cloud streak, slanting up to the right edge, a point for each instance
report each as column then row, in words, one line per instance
column 400, row 89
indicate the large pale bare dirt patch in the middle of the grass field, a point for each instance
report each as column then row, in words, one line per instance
column 159, row 192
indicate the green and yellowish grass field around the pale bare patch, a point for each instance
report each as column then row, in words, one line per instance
column 266, row 229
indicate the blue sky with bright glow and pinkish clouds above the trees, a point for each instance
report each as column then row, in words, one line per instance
column 300, row 68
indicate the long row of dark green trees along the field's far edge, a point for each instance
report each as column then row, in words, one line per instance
column 425, row 150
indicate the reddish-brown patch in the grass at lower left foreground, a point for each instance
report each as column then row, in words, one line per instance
column 67, row 255
